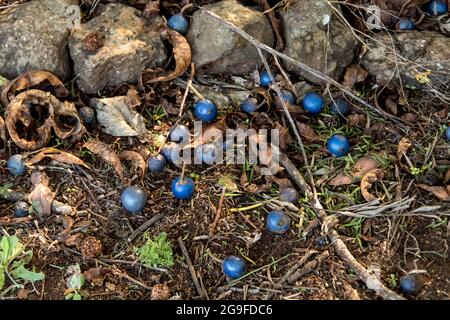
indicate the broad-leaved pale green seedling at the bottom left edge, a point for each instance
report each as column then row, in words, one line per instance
column 13, row 258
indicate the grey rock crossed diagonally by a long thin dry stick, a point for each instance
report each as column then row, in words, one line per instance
column 216, row 49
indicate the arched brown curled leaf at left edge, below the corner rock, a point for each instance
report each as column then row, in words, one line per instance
column 32, row 79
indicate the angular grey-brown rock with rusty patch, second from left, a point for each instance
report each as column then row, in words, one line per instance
column 115, row 47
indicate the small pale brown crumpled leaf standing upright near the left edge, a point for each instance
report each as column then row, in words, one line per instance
column 41, row 197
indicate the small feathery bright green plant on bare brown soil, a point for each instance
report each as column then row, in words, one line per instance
column 157, row 252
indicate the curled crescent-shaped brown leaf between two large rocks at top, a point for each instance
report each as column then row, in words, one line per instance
column 181, row 52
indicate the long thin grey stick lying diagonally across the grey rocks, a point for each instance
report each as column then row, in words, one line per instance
column 299, row 64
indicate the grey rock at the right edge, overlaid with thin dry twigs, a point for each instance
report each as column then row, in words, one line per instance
column 415, row 52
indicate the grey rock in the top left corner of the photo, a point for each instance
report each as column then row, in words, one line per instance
column 33, row 36
